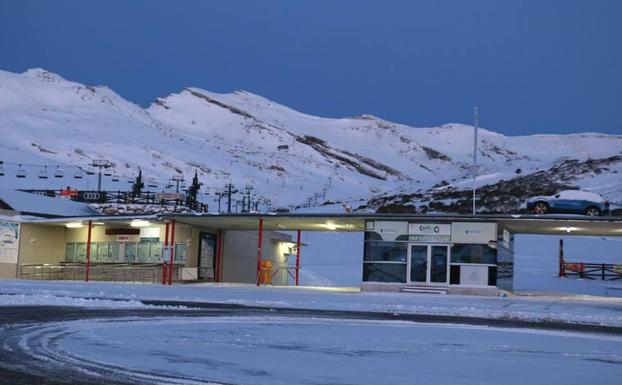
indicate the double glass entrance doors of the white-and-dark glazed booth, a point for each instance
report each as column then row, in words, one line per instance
column 428, row 264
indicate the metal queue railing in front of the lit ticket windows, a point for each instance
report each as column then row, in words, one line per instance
column 114, row 272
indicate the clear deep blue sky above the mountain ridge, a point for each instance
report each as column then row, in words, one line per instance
column 530, row 66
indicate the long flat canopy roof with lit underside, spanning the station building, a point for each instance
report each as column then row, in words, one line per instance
column 517, row 224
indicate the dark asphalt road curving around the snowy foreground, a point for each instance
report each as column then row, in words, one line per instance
column 29, row 354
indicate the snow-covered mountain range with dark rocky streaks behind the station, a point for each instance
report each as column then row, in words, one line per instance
column 288, row 156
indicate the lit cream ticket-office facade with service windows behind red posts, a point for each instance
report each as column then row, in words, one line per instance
column 125, row 249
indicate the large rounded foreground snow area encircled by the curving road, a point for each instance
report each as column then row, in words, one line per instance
column 247, row 350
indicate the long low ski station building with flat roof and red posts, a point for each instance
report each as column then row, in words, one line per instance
column 424, row 253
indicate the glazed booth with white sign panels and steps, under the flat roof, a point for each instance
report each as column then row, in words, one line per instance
column 459, row 257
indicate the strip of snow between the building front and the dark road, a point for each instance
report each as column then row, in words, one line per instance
column 591, row 310
